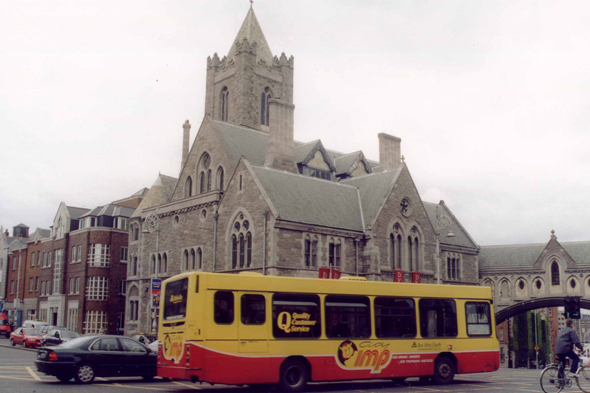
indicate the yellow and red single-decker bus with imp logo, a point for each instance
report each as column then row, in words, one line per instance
column 253, row 329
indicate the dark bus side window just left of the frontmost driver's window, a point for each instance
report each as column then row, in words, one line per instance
column 438, row 318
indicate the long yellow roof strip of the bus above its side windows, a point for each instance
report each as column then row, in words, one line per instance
column 260, row 283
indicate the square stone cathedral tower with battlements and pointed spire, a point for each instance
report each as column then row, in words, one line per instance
column 240, row 85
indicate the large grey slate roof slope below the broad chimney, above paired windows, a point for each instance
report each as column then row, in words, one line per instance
column 309, row 200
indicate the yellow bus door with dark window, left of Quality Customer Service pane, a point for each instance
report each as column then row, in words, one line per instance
column 253, row 325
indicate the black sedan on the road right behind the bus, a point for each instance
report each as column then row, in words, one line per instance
column 84, row 358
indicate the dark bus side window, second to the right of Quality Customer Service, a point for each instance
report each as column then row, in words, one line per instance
column 395, row 317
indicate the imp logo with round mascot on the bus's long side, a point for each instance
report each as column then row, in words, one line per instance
column 364, row 356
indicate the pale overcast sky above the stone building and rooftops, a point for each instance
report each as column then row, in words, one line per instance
column 490, row 99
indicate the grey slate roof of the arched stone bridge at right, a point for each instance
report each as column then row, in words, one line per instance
column 527, row 254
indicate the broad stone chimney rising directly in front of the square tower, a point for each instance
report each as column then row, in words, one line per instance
column 279, row 152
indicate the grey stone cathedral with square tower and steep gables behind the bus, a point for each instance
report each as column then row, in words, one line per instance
column 250, row 197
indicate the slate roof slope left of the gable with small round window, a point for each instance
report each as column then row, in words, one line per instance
column 374, row 189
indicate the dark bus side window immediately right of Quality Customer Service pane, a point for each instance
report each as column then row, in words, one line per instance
column 348, row 316
